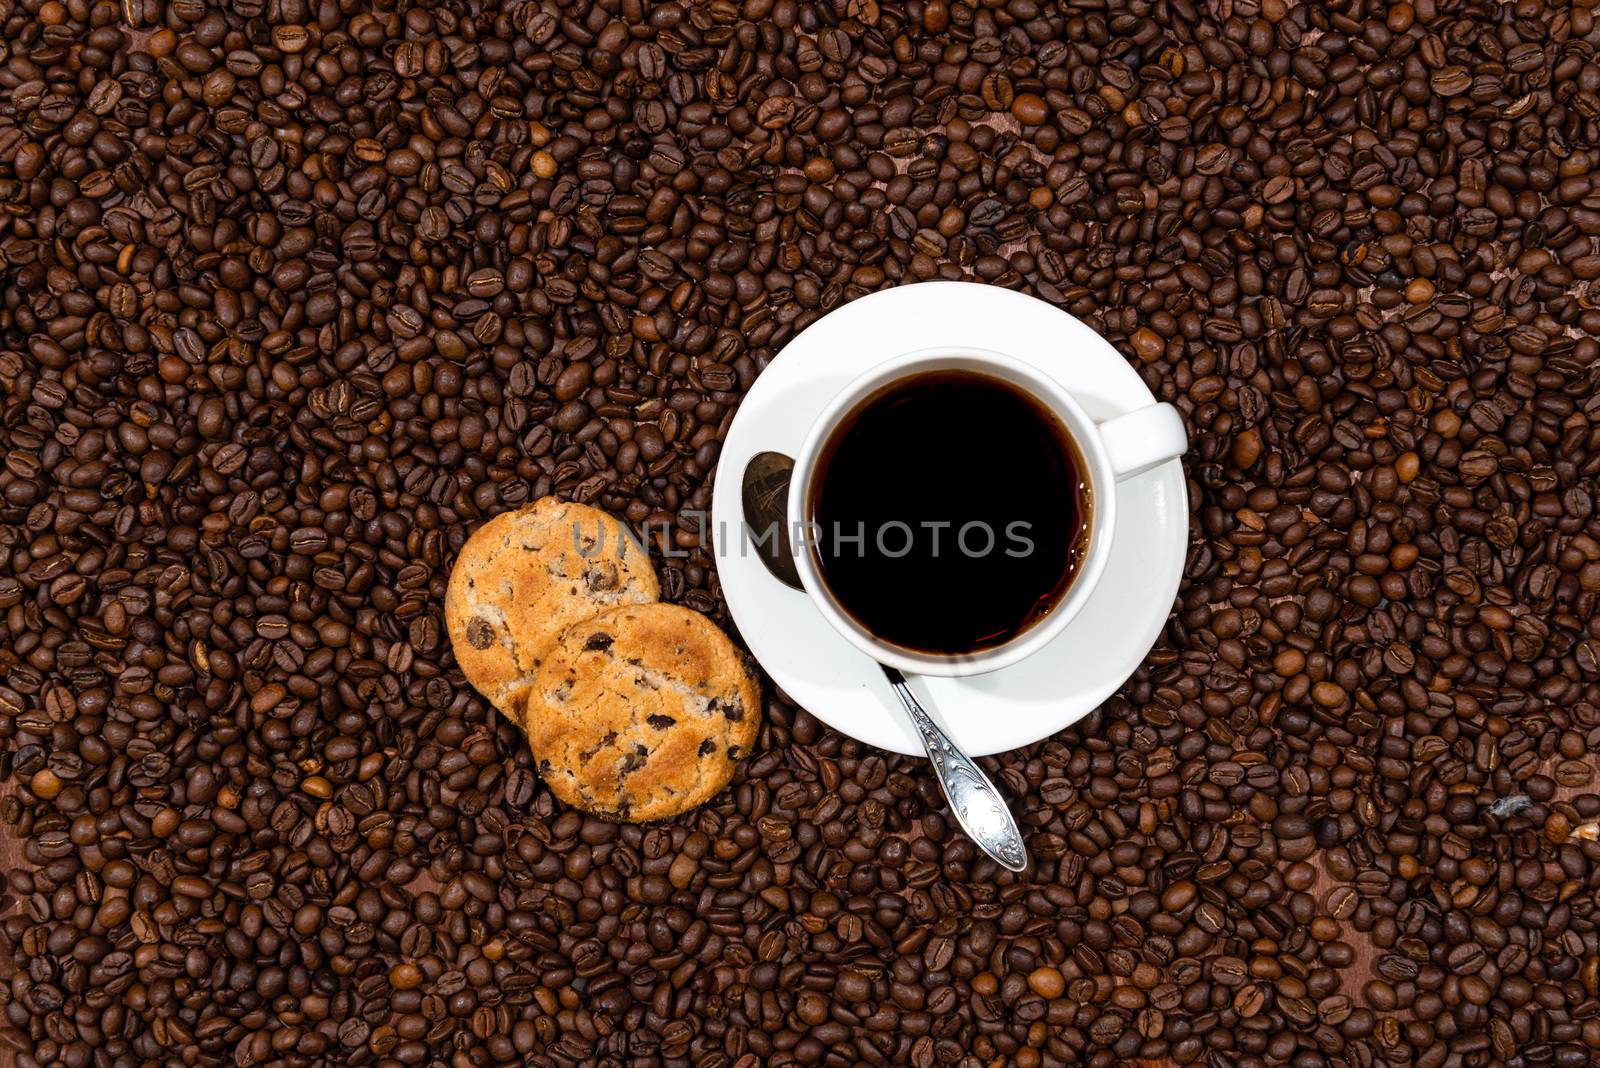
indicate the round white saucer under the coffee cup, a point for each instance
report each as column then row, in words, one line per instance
column 1006, row 709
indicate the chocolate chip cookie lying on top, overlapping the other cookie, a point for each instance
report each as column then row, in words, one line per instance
column 642, row 712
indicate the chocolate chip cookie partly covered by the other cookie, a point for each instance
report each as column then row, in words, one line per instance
column 526, row 576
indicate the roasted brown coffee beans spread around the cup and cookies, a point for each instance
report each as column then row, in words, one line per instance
column 297, row 293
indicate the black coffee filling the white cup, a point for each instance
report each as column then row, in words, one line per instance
column 950, row 512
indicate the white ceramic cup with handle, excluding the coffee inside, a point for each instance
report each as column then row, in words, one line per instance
column 1113, row 452
